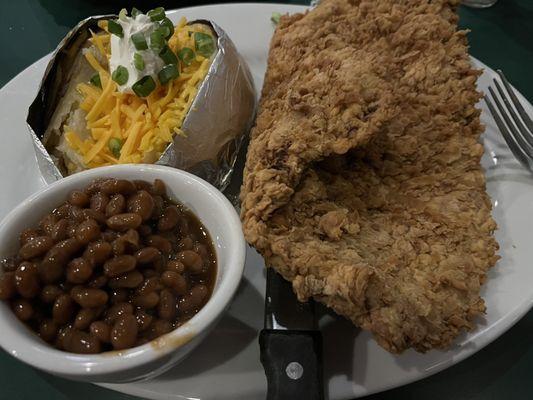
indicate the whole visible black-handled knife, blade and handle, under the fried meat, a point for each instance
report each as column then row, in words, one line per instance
column 290, row 344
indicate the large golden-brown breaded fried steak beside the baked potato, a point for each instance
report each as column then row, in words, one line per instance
column 363, row 183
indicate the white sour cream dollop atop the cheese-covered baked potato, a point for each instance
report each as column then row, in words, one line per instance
column 123, row 50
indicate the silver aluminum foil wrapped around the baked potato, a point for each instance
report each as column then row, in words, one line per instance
column 214, row 128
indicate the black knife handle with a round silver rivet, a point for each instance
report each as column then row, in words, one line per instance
column 293, row 364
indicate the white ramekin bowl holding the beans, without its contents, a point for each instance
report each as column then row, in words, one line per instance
column 218, row 216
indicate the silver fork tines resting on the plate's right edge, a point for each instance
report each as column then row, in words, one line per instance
column 515, row 125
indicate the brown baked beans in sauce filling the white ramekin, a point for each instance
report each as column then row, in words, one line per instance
column 115, row 266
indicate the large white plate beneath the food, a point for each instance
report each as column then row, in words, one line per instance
column 226, row 365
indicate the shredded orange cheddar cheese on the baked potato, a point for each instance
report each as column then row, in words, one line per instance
column 144, row 125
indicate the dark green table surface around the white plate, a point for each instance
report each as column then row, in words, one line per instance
column 501, row 37
